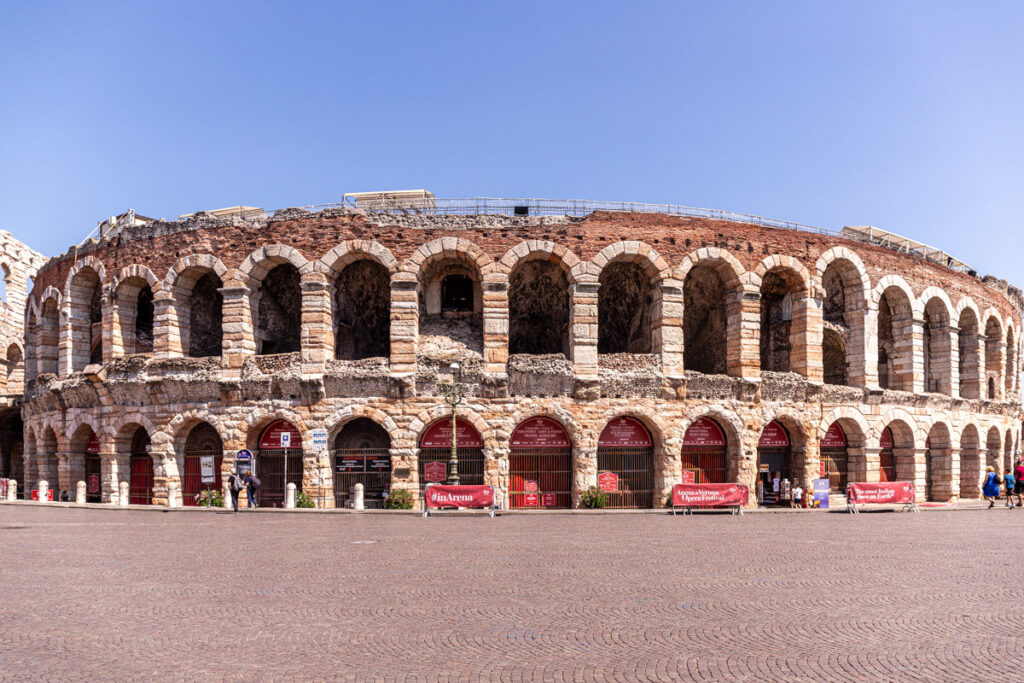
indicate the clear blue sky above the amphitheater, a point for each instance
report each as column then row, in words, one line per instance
column 903, row 115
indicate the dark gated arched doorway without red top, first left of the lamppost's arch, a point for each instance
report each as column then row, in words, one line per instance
column 362, row 455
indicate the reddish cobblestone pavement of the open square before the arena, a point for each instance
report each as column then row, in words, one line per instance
column 119, row 594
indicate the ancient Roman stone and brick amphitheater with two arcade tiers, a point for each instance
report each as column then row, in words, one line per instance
column 654, row 344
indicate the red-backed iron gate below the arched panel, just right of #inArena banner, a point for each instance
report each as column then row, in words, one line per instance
column 537, row 474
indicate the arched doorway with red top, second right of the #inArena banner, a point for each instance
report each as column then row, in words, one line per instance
column 627, row 450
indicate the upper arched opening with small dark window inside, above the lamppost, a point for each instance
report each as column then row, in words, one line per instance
column 451, row 302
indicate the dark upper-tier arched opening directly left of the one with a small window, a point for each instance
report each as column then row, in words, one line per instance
column 363, row 312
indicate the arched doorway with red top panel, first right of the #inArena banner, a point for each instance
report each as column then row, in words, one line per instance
column 540, row 465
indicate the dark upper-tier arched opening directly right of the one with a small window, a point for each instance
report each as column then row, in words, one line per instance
column 539, row 309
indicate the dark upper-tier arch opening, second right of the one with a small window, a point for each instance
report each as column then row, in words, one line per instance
column 625, row 303
